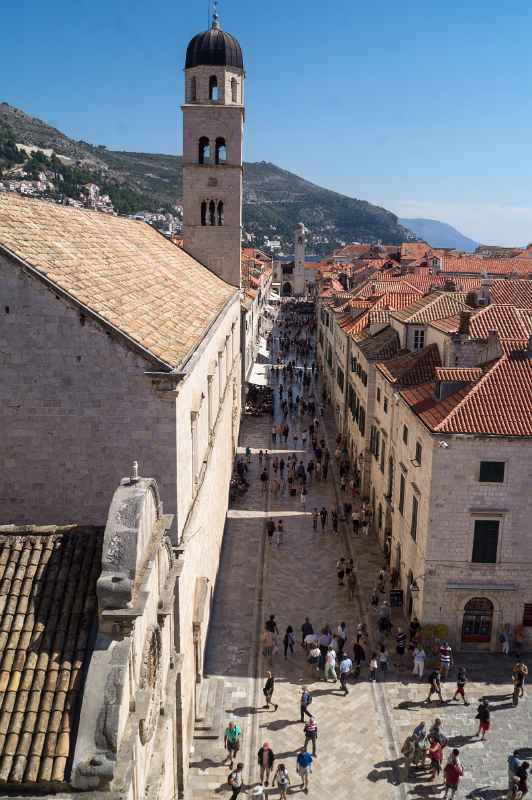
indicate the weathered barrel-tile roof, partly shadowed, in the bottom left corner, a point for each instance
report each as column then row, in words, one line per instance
column 47, row 612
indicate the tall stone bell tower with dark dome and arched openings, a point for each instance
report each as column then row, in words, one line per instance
column 213, row 123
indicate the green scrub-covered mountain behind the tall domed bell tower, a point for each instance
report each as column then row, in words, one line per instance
column 275, row 200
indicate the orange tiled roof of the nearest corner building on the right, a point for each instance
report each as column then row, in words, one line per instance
column 498, row 404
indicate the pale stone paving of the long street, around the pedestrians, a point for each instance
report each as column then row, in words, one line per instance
column 360, row 735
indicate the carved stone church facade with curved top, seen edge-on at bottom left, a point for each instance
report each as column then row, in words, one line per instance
column 126, row 739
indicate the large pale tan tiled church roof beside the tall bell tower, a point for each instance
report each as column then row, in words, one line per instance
column 123, row 270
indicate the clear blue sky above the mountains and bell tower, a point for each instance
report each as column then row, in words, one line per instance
column 422, row 107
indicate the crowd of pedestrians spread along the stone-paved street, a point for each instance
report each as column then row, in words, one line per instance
column 342, row 652
